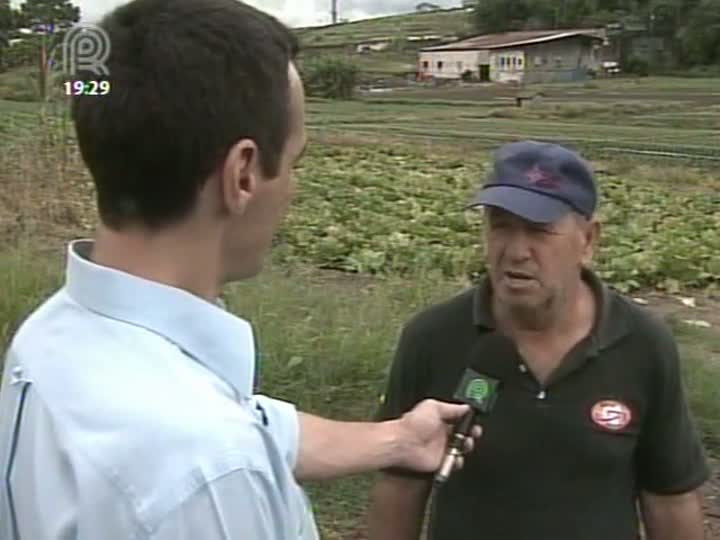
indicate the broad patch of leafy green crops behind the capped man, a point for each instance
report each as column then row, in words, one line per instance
column 396, row 210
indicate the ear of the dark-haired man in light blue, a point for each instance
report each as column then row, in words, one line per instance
column 238, row 179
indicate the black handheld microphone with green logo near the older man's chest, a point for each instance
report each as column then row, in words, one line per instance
column 480, row 392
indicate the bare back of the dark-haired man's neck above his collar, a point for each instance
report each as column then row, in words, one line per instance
column 183, row 259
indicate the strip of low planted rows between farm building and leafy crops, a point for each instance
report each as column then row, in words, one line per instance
column 608, row 118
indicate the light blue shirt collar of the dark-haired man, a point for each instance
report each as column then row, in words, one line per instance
column 203, row 330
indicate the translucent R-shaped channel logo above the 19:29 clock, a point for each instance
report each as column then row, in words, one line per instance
column 86, row 48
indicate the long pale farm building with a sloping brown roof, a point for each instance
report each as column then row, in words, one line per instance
column 527, row 56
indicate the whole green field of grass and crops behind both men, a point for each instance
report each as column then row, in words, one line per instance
column 380, row 196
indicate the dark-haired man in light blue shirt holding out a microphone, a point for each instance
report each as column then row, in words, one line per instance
column 127, row 408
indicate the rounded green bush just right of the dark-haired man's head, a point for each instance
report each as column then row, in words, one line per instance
column 330, row 77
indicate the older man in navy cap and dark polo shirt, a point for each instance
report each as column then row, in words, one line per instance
column 591, row 419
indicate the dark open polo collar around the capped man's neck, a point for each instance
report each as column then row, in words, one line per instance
column 610, row 325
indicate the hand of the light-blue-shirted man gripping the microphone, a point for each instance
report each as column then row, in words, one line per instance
column 423, row 435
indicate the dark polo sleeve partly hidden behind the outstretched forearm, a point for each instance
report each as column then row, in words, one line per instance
column 405, row 386
